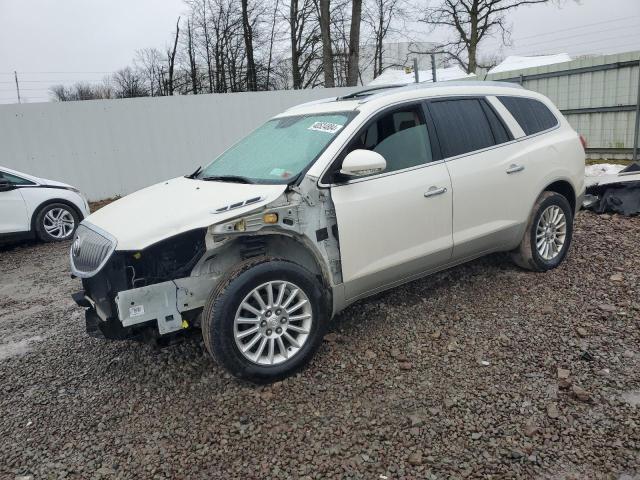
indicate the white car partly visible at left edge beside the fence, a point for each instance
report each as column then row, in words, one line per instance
column 32, row 206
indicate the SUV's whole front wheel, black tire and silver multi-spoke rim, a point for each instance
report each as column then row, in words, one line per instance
column 265, row 320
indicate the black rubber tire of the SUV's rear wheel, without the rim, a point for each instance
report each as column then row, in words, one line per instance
column 527, row 255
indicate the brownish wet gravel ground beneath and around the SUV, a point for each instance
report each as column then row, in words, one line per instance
column 481, row 371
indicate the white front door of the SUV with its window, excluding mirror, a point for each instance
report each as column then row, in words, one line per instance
column 395, row 225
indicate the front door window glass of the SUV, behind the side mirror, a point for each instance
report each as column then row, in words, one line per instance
column 401, row 137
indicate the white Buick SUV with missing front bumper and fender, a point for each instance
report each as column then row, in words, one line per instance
column 325, row 204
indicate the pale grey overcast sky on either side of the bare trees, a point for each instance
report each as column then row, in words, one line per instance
column 86, row 39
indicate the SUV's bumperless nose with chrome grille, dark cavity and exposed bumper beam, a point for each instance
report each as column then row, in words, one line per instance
column 133, row 294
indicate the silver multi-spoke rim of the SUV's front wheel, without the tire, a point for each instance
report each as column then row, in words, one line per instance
column 273, row 322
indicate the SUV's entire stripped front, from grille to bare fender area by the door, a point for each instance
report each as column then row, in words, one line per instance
column 160, row 291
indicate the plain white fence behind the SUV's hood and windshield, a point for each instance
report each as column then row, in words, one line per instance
column 114, row 147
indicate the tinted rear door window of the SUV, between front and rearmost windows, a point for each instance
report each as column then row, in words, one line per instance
column 463, row 126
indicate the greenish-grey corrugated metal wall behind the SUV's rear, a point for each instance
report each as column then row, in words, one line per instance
column 596, row 95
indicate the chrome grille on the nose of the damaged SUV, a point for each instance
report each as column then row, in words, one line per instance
column 90, row 250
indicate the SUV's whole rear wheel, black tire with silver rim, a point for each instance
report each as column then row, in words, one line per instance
column 548, row 235
